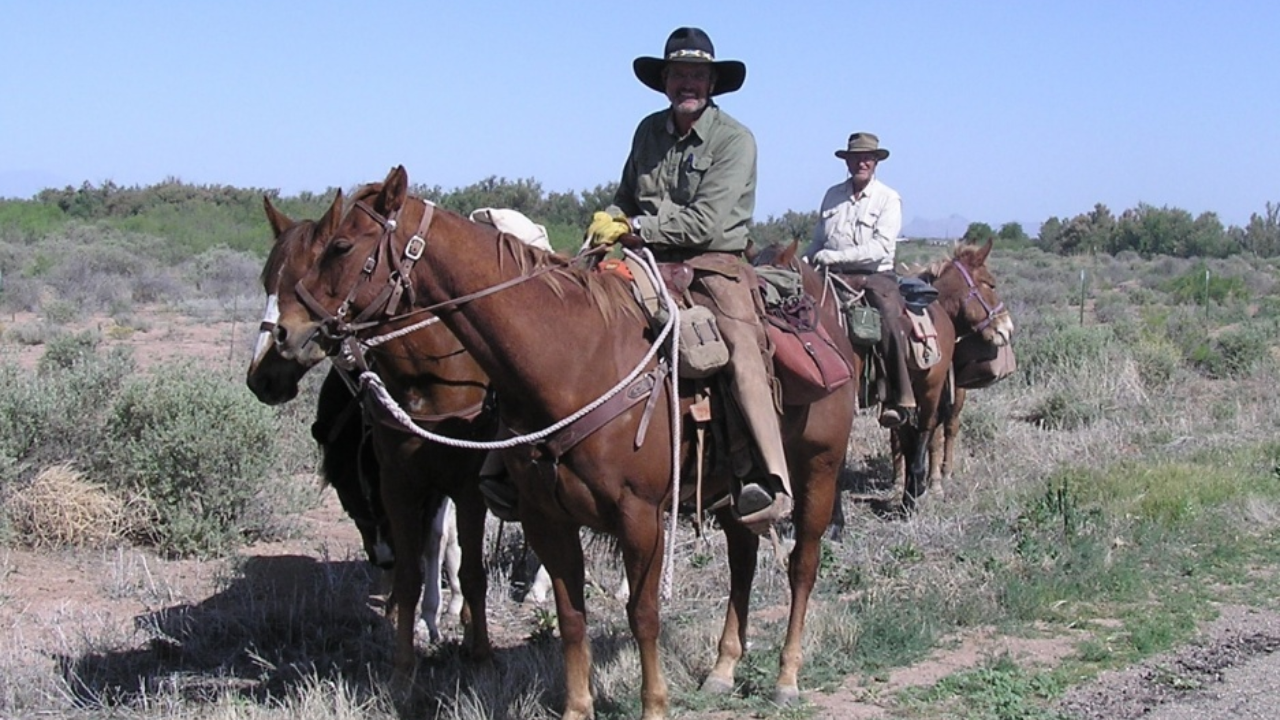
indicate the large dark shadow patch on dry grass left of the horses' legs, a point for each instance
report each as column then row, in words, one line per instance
column 282, row 622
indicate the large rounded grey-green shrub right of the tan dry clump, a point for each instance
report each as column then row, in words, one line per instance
column 199, row 448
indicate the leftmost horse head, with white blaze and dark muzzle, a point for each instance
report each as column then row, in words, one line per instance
column 272, row 377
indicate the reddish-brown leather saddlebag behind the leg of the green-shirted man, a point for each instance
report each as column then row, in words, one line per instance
column 807, row 362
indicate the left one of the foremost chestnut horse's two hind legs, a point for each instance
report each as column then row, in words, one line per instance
column 743, row 549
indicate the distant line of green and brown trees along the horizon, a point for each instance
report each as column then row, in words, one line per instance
column 196, row 217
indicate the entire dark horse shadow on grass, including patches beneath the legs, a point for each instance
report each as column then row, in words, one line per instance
column 287, row 625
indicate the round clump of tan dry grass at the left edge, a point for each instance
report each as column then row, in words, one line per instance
column 60, row 508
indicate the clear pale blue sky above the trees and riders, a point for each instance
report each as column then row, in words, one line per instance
column 994, row 111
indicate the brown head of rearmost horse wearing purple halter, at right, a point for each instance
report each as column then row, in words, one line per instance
column 967, row 290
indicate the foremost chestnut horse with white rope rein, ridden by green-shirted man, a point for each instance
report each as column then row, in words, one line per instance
column 554, row 339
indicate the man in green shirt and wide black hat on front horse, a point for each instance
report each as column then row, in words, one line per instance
column 688, row 192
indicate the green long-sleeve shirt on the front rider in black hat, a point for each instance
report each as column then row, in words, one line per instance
column 694, row 193
